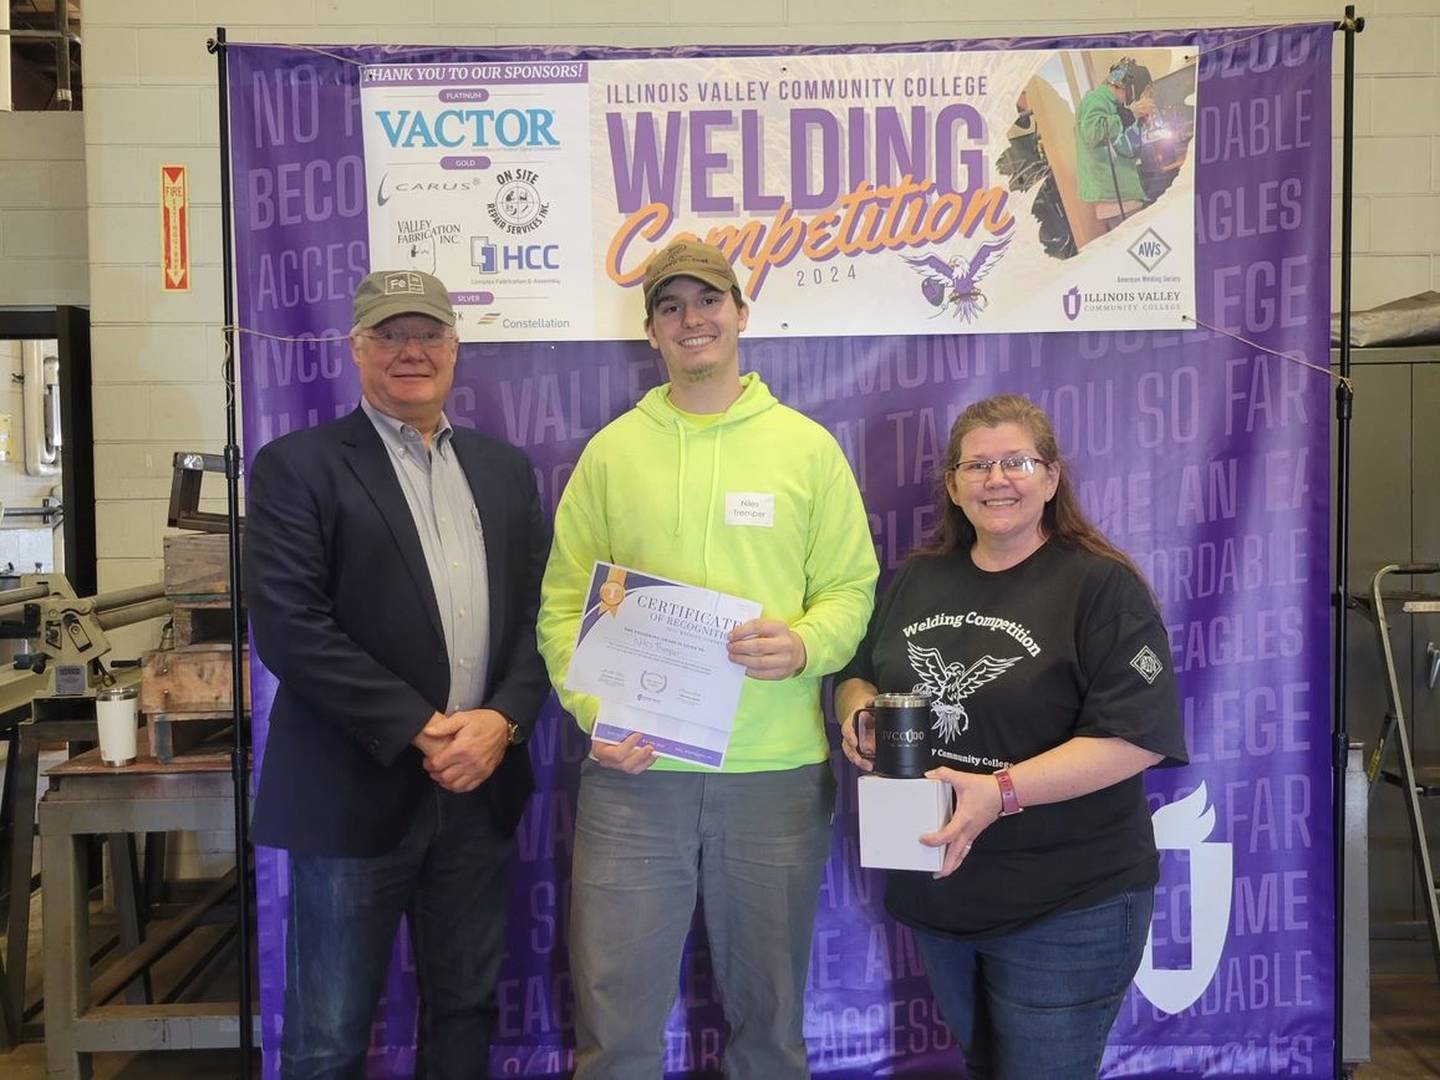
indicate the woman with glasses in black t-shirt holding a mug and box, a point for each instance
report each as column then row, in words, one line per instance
column 1052, row 692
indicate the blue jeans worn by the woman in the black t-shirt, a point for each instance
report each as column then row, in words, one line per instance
column 1040, row 1003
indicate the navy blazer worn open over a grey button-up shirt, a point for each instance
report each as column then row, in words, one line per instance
column 345, row 616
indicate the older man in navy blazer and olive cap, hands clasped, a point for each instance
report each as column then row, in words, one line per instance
column 392, row 572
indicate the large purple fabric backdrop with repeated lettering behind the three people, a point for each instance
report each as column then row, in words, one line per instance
column 1206, row 459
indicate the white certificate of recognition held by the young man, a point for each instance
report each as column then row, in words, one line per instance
column 656, row 653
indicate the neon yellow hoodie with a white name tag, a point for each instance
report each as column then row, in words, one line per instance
column 650, row 493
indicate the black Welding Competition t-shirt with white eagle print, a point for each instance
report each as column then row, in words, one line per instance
column 1020, row 662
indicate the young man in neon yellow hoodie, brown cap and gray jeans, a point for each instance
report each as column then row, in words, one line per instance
column 659, row 490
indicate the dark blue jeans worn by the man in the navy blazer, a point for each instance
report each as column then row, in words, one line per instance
column 449, row 878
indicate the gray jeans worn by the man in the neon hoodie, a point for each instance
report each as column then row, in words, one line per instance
column 754, row 847
